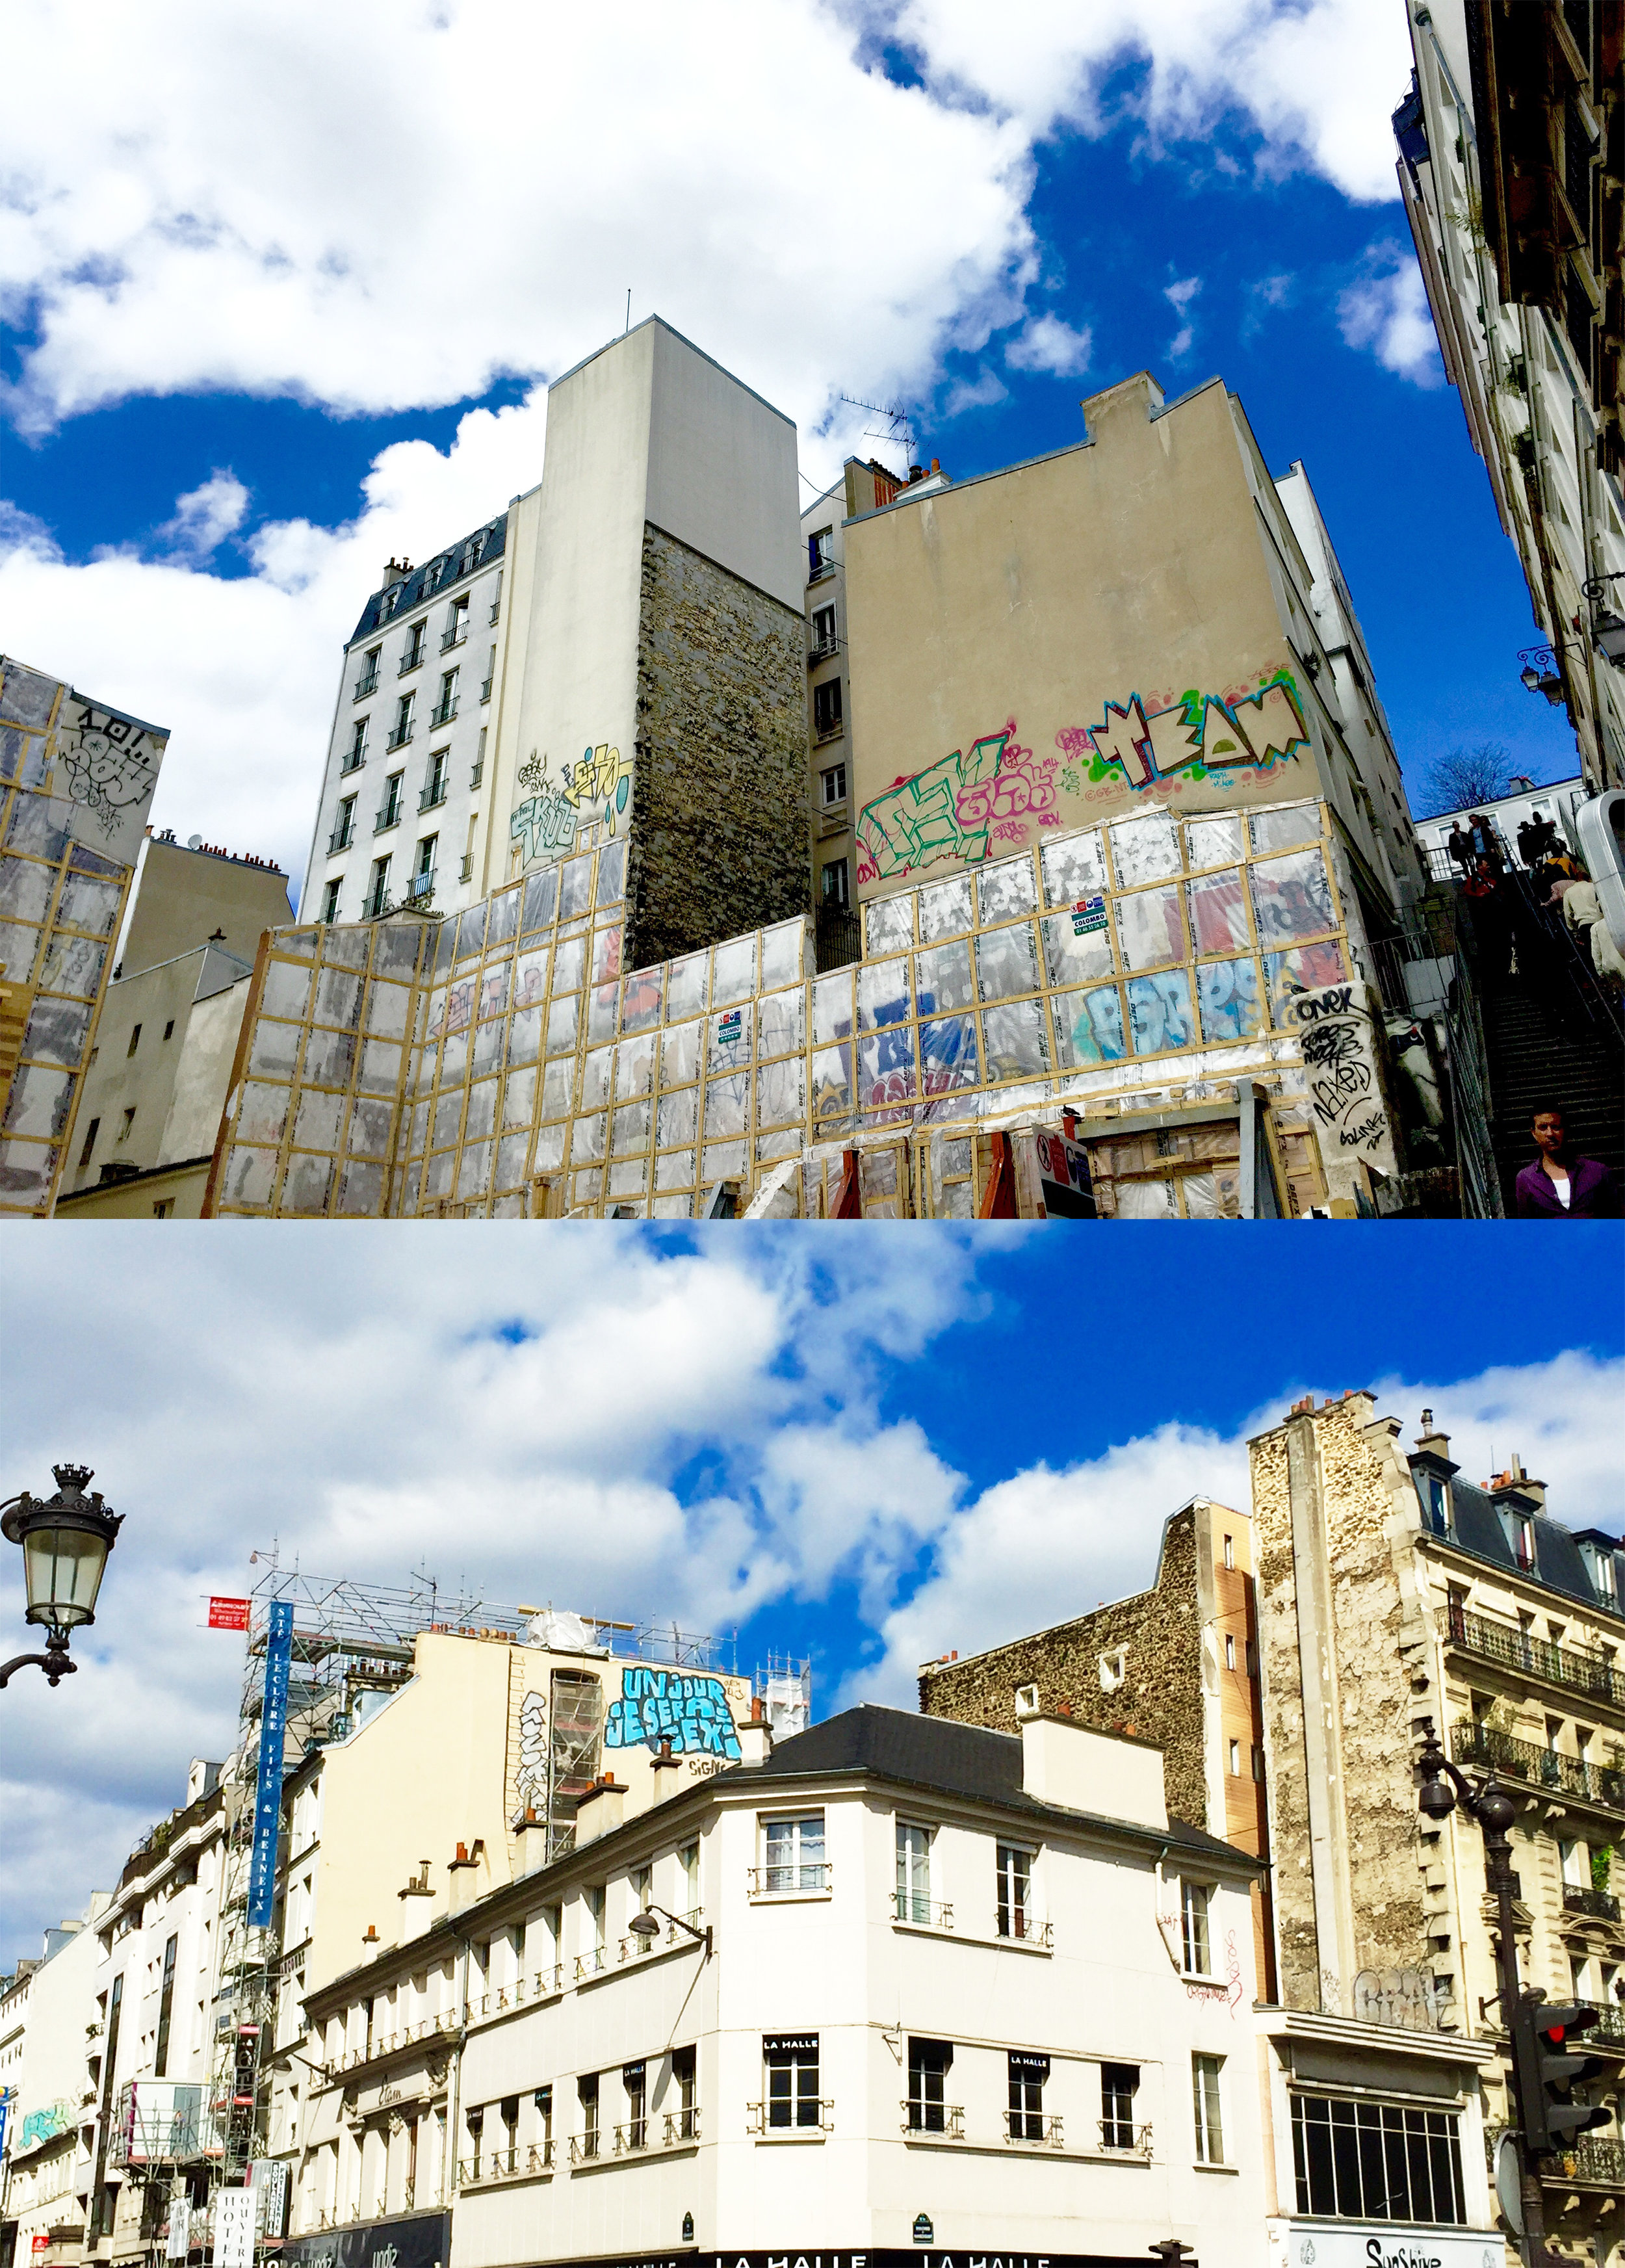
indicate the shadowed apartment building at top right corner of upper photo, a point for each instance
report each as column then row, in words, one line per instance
column 1513, row 164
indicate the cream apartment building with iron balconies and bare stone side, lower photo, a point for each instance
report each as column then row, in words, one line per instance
column 1395, row 1593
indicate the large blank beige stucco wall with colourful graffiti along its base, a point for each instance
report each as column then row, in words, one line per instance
column 1150, row 561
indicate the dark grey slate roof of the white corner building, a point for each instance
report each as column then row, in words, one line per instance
column 951, row 1759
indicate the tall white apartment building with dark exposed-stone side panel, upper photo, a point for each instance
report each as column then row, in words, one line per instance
column 618, row 659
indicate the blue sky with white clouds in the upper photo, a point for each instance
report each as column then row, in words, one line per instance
column 248, row 359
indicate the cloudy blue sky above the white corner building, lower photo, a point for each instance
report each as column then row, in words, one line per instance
column 860, row 1448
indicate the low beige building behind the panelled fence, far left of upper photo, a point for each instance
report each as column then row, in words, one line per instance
column 169, row 1033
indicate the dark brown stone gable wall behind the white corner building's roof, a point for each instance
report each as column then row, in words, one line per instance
column 1162, row 1693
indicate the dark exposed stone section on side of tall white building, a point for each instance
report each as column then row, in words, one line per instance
column 720, row 788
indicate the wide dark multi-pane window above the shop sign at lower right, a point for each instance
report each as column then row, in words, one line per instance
column 1377, row 2160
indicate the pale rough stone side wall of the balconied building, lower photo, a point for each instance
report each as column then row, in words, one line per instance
column 1372, row 1643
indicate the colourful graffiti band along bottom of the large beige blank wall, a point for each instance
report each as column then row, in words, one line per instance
column 967, row 804
